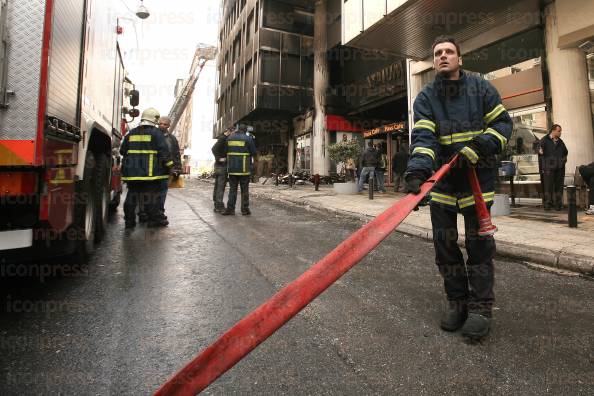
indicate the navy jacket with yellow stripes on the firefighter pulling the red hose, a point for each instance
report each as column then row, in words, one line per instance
column 447, row 115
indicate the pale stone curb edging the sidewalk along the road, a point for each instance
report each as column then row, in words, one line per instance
column 556, row 259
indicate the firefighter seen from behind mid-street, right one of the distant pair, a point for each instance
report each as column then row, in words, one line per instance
column 240, row 151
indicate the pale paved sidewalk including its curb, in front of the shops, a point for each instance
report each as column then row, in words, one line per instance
column 527, row 234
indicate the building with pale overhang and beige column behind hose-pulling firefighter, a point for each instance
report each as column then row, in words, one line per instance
column 538, row 54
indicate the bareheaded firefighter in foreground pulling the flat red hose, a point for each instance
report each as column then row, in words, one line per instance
column 460, row 113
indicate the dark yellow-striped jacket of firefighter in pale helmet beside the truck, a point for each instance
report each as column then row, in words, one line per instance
column 146, row 155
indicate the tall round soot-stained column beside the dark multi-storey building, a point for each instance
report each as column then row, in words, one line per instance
column 320, row 157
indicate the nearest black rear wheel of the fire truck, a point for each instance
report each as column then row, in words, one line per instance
column 85, row 211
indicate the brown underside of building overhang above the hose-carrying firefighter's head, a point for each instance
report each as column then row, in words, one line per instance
column 410, row 29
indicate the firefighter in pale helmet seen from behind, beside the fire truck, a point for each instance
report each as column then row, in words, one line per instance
column 146, row 164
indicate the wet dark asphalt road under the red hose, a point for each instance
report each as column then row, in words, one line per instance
column 149, row 301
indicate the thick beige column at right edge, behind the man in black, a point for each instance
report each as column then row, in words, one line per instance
column 568, row 77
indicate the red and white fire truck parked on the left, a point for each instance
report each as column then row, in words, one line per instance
column 65, row 101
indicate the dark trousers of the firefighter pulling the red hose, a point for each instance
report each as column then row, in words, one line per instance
column 471, row 281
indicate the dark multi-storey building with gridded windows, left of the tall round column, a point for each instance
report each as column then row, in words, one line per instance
column 265, row 69
